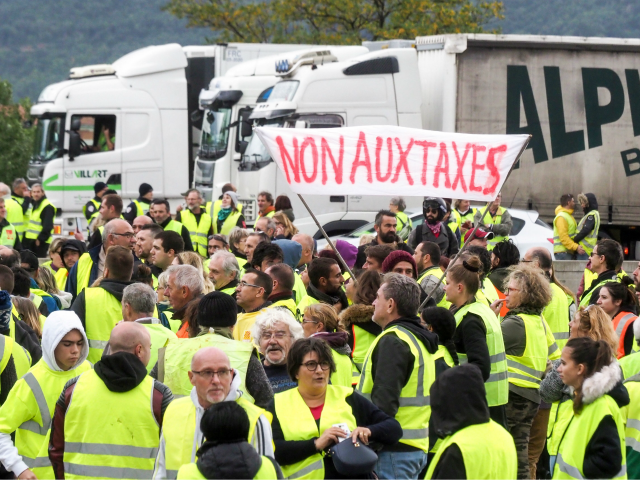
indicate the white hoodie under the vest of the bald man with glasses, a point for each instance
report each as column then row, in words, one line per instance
column 262, row 439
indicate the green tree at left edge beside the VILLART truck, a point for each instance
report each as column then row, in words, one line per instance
column 16, row 141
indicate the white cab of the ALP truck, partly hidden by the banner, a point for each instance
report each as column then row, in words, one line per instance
column 375, row 88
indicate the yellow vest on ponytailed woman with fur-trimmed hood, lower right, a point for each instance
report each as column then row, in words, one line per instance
column 570, row 459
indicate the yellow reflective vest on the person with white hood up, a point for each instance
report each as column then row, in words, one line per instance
column 29, row 408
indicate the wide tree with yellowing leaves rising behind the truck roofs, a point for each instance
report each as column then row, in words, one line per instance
column 334, row 21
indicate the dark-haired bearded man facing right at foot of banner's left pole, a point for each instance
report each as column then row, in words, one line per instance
column 325, row 285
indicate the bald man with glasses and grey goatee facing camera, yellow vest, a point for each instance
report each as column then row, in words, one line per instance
column 213, row 381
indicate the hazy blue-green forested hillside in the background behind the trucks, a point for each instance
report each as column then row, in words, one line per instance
column 41, row 39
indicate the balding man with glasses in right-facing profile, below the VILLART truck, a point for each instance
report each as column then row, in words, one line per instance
column 90, row 266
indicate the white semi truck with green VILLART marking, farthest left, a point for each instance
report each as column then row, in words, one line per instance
column 127, row 123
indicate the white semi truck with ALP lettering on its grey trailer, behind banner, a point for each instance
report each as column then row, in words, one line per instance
column 578, row 97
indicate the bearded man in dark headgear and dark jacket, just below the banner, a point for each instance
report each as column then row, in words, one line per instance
column 433, row 229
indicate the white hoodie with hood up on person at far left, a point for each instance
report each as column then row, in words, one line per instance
column 58, row 324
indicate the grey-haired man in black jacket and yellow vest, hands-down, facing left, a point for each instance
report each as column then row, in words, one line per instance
column 393, row 367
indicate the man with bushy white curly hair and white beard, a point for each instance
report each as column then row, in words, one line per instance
column 276, row 330
